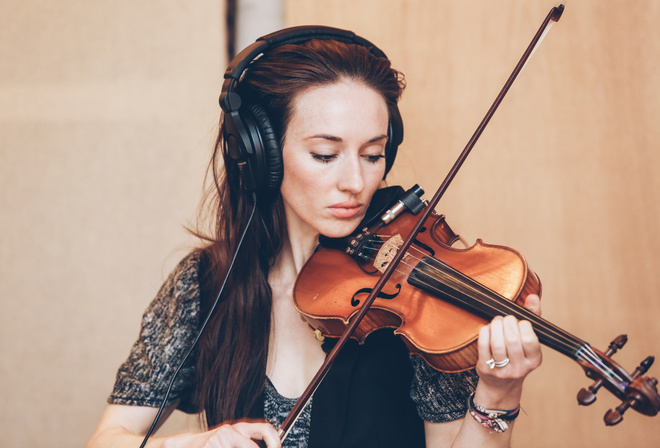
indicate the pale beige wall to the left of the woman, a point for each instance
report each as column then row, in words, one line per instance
column 108, row 110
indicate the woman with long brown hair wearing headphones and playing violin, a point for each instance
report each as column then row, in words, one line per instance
column 332, row 109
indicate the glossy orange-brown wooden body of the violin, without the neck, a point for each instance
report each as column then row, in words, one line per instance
column 442, row 333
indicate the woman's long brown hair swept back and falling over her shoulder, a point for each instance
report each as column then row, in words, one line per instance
column 231, row 364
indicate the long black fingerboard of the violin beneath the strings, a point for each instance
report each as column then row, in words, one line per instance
column 444, row 282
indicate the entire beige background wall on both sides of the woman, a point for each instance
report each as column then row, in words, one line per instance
column 108, row 109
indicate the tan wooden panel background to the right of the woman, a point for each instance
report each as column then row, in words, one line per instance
column 566, row 172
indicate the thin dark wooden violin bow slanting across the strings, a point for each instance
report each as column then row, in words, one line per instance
column 553, row 16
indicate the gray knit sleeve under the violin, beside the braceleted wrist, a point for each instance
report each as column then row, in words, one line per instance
column 440, row 396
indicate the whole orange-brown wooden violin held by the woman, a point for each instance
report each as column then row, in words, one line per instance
column 440, row 296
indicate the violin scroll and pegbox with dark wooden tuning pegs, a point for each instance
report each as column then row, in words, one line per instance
column 636, row 390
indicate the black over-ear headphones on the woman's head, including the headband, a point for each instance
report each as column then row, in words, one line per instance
column 250, row 138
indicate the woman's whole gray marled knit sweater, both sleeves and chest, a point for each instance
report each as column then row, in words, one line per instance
column 170, row 324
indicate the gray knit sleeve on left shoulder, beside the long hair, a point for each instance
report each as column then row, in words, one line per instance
column 169, row 327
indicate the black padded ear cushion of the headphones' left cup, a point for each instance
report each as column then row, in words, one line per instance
column 271, row 157
